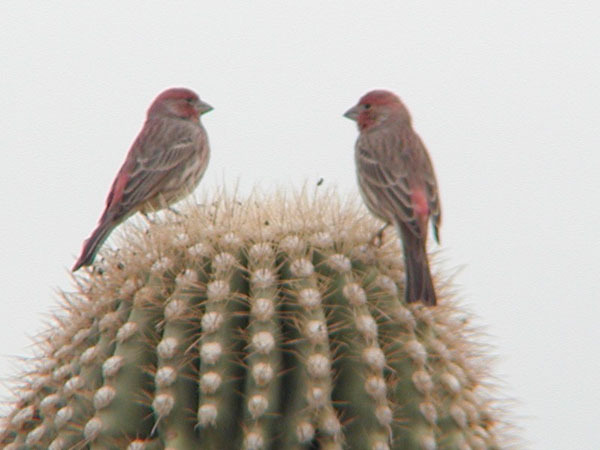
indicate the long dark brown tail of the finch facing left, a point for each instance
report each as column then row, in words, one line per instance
column 419, row 285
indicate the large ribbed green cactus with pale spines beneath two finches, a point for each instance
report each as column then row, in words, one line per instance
column 263, row 324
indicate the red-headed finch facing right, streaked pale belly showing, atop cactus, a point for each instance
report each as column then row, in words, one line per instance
column 164, row 164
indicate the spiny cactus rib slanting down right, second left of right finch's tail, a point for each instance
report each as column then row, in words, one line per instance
column 361, row 388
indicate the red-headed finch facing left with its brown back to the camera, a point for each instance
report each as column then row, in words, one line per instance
column 397, row 182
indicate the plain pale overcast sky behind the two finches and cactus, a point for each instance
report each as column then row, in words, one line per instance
column 505, row 95
